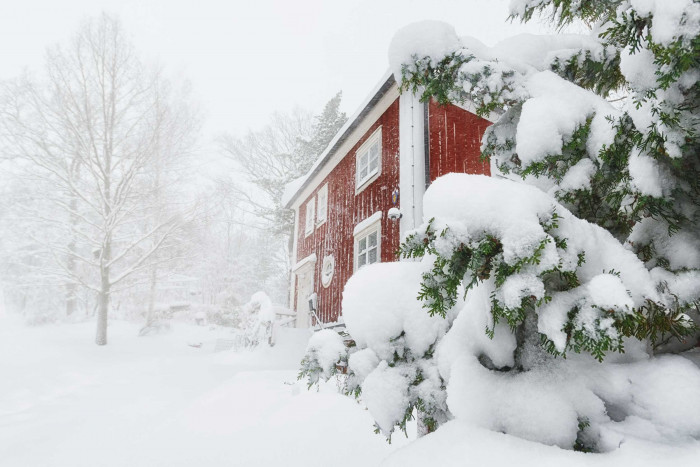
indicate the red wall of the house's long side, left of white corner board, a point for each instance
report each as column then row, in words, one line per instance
column 346, row 210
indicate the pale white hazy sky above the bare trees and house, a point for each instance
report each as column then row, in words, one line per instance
column 246, row 59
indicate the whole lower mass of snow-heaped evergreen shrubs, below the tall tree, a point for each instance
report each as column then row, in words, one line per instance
column 504, row 322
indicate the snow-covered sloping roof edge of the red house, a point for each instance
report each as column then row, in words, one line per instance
column 295, row 187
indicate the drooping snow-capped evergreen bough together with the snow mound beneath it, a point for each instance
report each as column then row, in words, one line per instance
column 541, row 283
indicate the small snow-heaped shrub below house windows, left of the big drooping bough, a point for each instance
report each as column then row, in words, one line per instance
column 392, row 366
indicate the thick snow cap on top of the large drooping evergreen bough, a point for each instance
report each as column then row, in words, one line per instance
column 513, row 212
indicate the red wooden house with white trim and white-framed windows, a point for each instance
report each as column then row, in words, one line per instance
column 384, row 157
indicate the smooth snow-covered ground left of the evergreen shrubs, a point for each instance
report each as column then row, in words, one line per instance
column 156, row 401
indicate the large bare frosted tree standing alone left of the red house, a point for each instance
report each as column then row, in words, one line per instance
column 93, row 130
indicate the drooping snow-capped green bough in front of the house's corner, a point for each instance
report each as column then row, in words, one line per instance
column 581, row 287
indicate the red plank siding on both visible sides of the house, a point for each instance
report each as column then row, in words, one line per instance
column 455, row 138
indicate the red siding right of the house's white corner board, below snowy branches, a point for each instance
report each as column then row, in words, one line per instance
column 455, row 141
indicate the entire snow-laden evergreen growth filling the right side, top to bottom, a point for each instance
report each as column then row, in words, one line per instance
column 547, row 298
